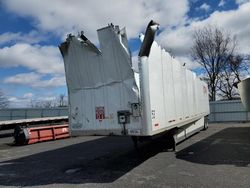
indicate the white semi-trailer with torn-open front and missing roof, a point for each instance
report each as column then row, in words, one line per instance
column 110, row 95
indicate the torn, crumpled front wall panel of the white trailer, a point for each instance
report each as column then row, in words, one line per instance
column 100, row 79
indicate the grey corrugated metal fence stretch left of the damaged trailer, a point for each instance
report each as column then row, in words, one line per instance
column 26, row 113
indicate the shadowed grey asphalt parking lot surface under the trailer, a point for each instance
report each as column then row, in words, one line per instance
column 217, row 157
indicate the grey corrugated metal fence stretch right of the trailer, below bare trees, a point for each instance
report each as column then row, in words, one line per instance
column 228, row 111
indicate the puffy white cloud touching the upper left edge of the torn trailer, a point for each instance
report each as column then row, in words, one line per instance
column 42, row 59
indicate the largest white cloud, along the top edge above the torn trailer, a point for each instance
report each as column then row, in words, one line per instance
column 62, row 16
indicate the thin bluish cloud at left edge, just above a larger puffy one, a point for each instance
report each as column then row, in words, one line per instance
column 31, row 37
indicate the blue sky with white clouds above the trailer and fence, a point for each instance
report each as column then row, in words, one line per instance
column 31, row 67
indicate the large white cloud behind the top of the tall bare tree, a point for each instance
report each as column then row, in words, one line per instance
column 180, row 40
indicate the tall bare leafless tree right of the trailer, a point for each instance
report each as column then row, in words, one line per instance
column 212, row 48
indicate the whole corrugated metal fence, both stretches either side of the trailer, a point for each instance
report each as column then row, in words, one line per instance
column 220, row 111
